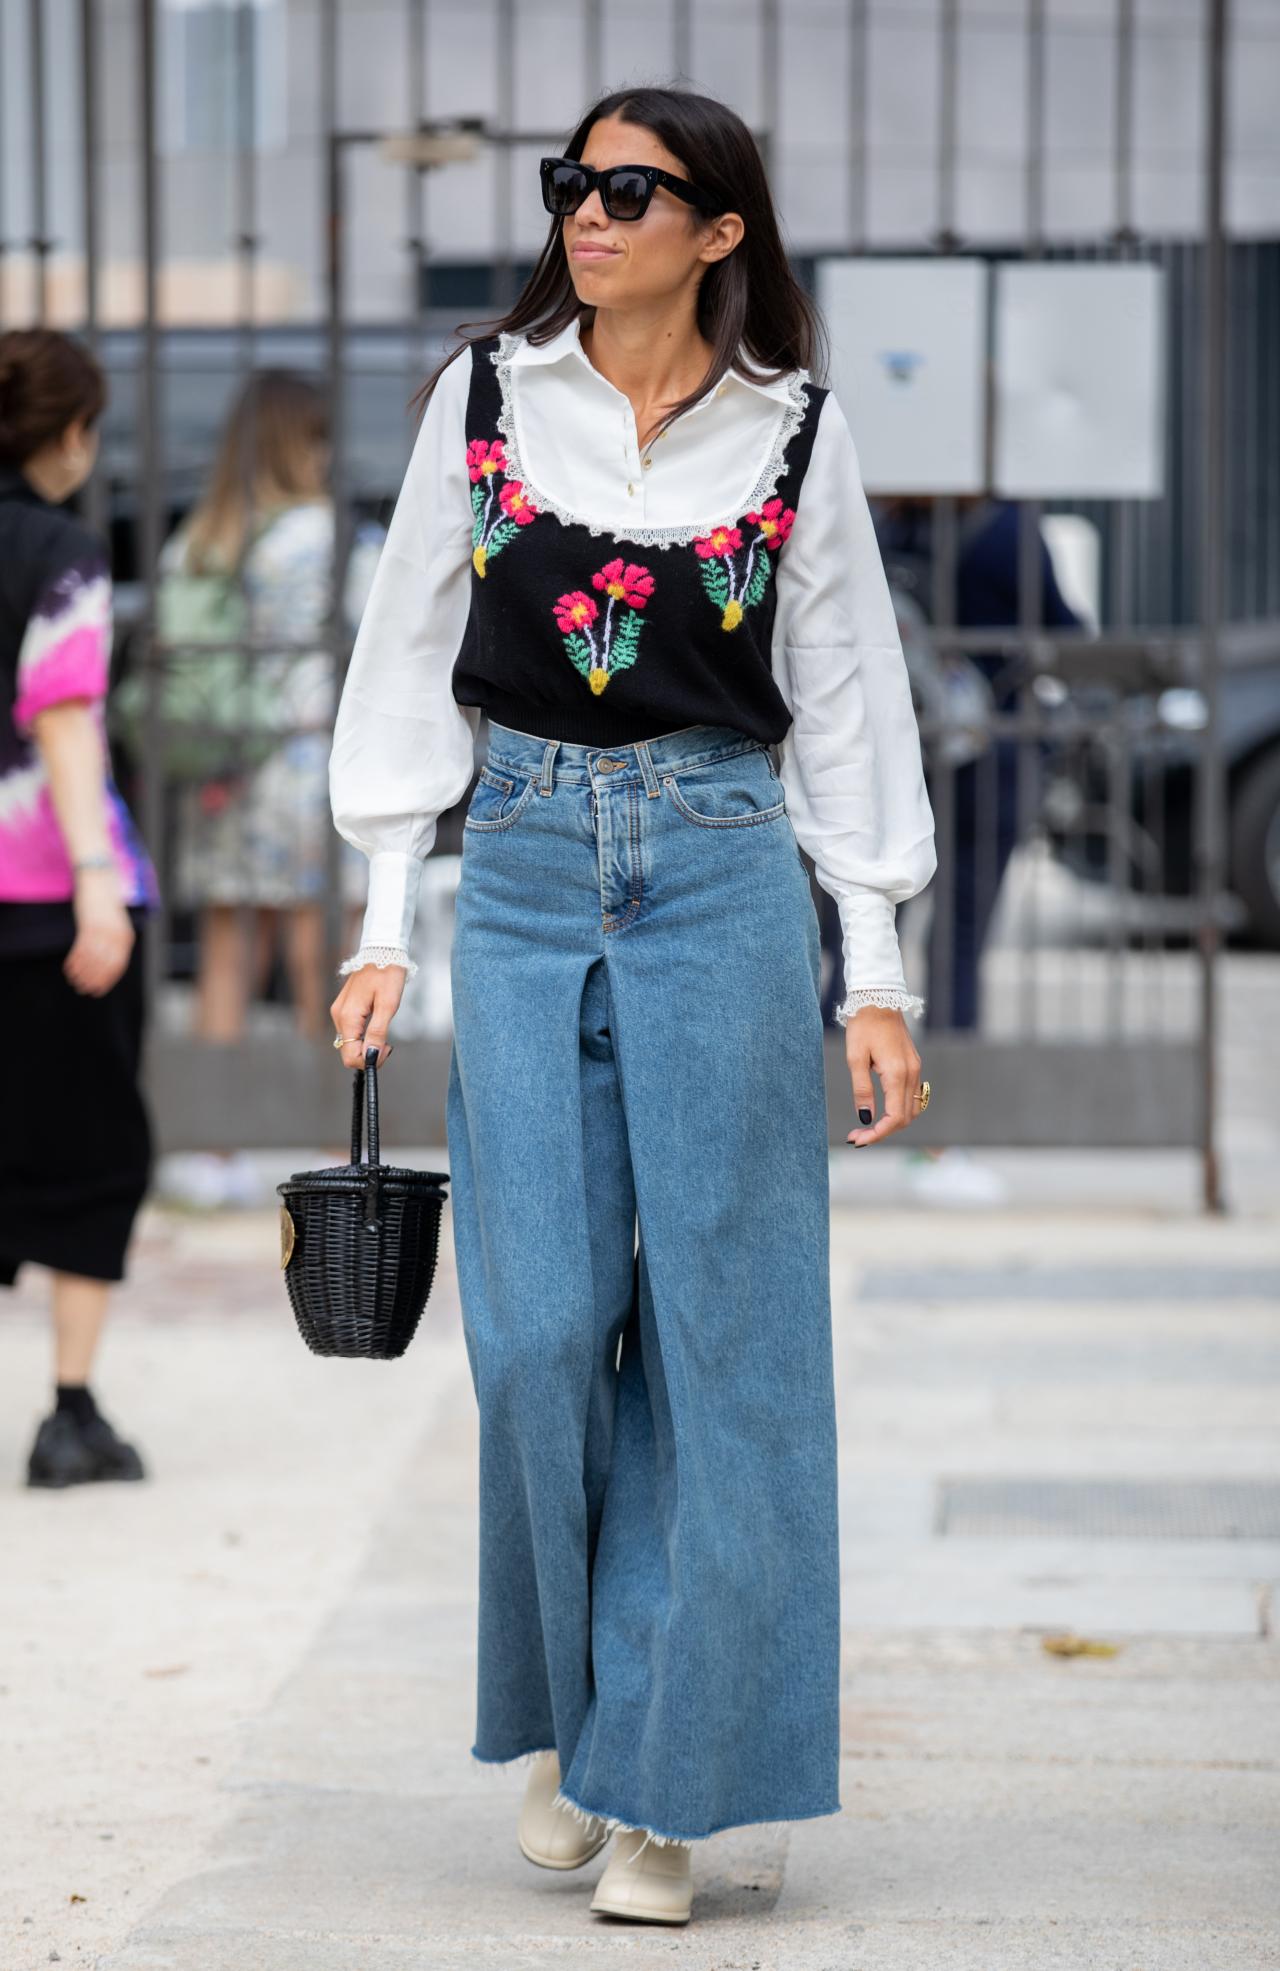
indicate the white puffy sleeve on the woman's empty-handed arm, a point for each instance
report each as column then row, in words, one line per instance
column 851, row 762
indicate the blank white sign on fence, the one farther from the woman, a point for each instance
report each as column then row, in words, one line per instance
column 1080, row 381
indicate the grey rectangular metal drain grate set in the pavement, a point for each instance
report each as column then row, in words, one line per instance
column 1111, row 1509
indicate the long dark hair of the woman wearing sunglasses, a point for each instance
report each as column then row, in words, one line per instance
column 747, row 303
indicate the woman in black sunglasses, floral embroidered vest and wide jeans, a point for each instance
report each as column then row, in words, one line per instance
column 634, row 535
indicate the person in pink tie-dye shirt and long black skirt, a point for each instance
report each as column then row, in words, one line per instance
column 76, row 886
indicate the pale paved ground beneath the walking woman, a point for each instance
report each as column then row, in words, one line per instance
column 238, row 1702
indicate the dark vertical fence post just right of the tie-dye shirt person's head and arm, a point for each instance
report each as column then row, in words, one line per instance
column 151, row 490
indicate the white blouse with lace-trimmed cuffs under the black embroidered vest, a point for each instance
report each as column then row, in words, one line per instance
column 851, row 762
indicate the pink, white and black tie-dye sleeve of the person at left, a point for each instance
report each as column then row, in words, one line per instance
column 66, row 647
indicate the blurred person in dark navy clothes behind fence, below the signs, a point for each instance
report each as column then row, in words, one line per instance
column 985, row 805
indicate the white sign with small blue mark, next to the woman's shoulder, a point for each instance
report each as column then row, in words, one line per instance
column 908, row 368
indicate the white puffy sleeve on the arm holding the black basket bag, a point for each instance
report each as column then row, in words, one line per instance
column 403, row 748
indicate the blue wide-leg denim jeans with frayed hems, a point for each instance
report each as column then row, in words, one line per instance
column 640, row 1201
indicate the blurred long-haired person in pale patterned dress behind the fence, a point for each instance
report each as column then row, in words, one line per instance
column 251, row 850
